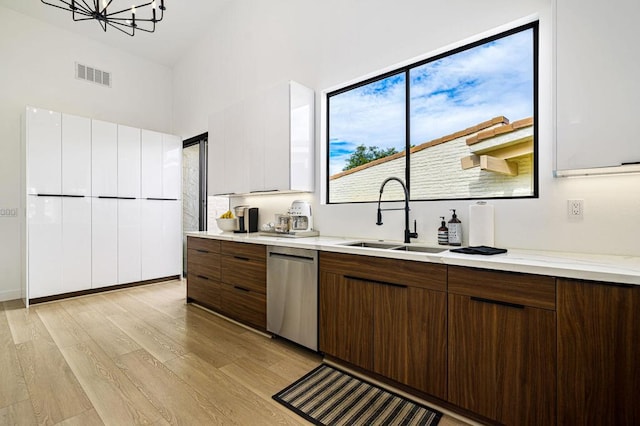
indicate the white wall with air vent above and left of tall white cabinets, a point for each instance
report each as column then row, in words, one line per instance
column 38, row 69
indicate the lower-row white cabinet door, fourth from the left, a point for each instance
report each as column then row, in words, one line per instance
column 129, row 267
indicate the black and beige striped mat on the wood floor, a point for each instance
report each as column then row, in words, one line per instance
column 327, row 396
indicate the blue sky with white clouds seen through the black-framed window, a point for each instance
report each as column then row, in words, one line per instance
column 447, row 95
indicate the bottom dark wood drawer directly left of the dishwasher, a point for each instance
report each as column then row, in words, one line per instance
column 245, row 306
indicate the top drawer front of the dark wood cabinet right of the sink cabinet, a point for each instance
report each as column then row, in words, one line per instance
column 537, row 291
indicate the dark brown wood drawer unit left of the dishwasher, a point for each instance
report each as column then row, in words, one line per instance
column 228, row 277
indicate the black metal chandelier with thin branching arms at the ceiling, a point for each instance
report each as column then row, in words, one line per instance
column 126, row 20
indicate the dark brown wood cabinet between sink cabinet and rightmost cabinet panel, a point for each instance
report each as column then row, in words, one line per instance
column 502, row 345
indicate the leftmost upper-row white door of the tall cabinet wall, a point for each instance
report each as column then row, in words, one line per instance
column 44, row 152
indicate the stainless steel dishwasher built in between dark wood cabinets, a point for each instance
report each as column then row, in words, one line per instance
column 292, row 294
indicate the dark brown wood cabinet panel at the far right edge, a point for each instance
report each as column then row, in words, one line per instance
column 598, row 353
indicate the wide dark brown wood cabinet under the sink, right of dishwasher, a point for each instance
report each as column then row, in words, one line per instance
column 387, row 316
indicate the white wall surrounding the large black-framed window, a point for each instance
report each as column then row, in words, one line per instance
column 254, row 44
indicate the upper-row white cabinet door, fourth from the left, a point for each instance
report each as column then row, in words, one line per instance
column 128, row 161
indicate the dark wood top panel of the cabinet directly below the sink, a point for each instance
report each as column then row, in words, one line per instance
column 393, row 271
